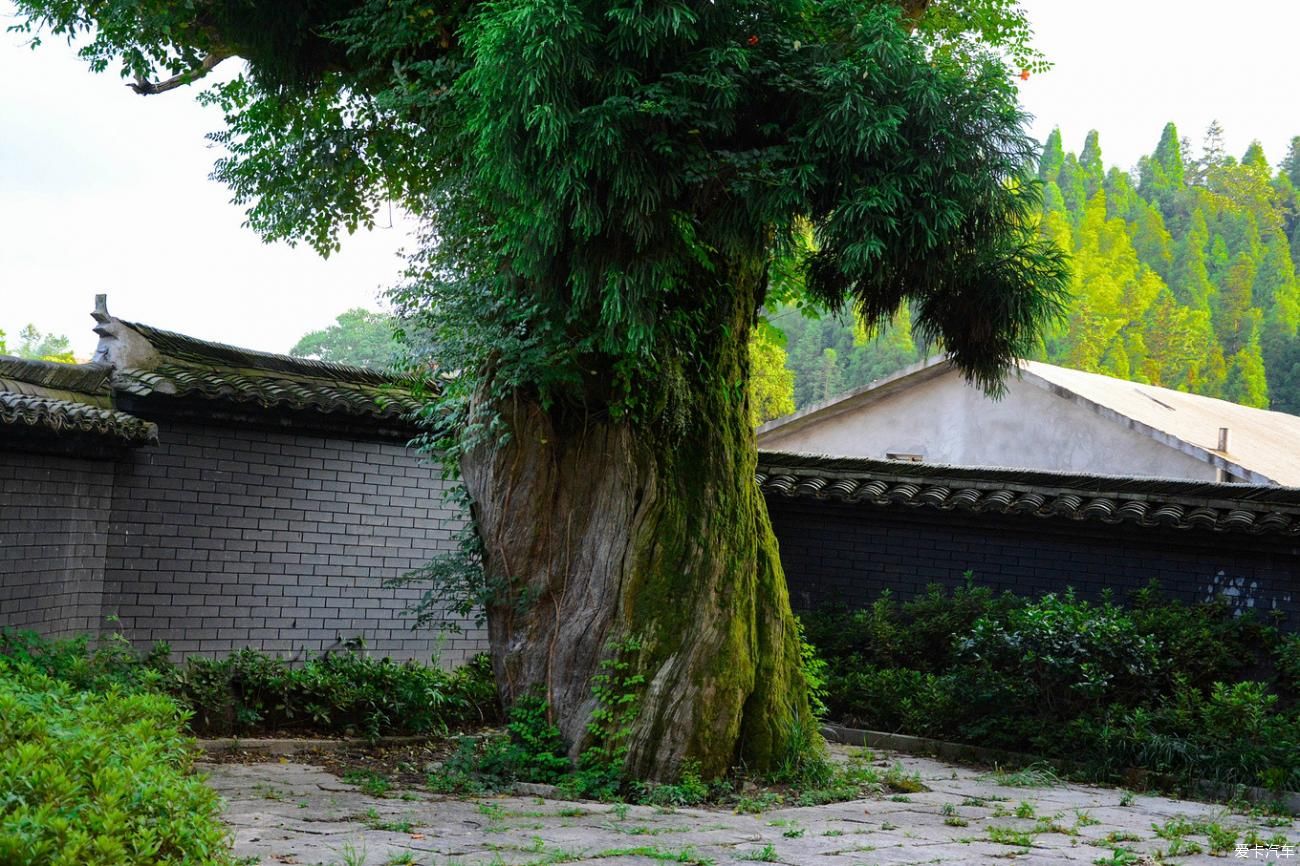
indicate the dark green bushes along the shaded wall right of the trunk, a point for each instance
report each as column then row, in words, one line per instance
column 1194, row 691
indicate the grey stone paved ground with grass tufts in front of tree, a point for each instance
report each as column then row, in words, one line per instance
column 296, row 813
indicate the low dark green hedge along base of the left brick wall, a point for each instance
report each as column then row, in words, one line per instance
column 248, row 691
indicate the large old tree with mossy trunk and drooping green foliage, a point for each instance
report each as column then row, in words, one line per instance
column 610, row 188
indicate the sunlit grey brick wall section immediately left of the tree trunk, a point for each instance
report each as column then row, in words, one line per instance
column 224, row 538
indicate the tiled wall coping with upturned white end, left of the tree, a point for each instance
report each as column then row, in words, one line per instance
column 150, row 361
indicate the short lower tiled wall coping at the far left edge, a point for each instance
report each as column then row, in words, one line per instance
column 66, row 399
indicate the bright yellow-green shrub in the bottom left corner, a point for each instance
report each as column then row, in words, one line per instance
column 98, row 780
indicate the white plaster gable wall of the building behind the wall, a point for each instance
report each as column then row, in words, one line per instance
column 950, row 422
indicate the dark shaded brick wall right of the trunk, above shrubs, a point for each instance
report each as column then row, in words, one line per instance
column 848, row 555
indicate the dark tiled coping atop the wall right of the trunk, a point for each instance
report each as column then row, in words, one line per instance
column 1108, row 500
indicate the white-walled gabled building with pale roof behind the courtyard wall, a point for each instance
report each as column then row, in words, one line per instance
column 1051, row 419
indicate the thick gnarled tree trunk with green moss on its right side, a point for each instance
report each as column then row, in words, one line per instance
column 600, row 531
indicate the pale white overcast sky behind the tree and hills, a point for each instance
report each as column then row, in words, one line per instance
column 106, row 192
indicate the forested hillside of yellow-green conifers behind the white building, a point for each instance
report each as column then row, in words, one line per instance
column 1185, row 276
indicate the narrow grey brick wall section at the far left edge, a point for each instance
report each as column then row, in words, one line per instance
column 54, row 519
